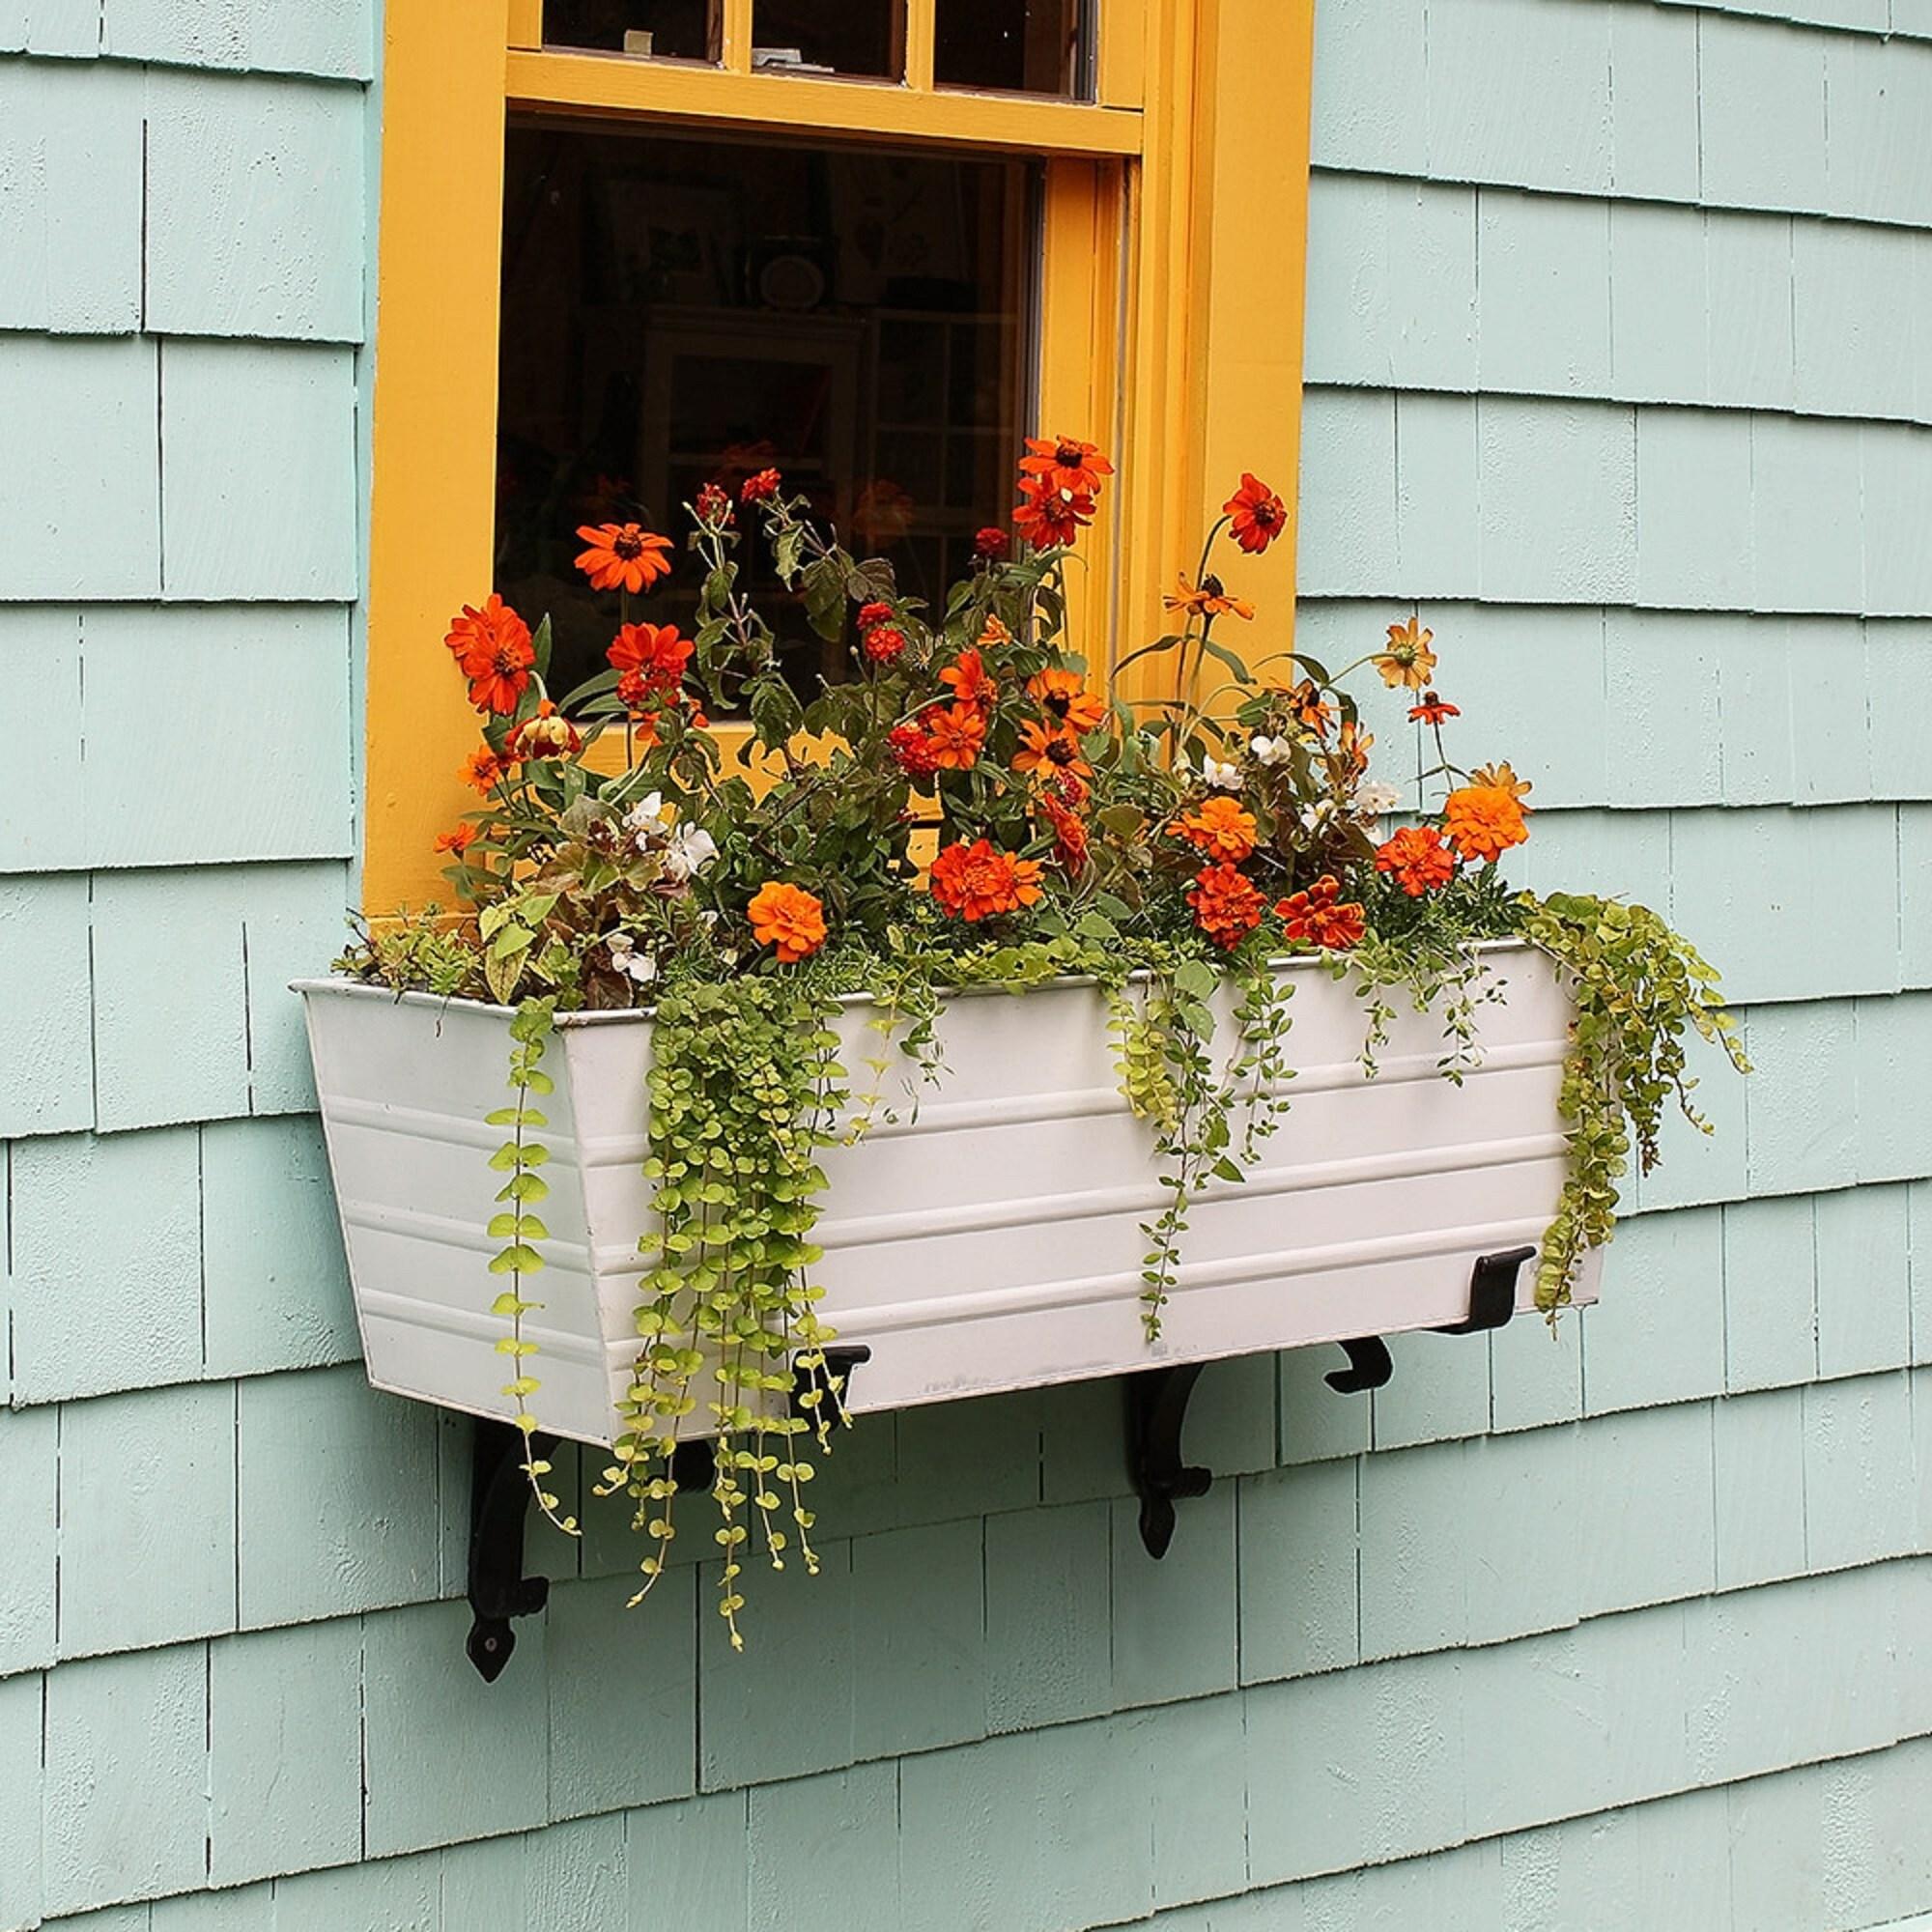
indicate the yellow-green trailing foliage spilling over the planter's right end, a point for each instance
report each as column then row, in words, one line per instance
column 1639, row 988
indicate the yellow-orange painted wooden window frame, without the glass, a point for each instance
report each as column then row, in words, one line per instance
column 1172, row 312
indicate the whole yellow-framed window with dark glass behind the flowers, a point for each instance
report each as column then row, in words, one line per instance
column 890, row 237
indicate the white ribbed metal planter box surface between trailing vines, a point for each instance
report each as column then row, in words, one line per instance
column 986, row 1241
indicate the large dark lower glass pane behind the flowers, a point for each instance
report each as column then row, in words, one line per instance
column 679, row 312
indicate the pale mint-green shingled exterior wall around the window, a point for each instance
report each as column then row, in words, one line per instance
column 1620, row 364
